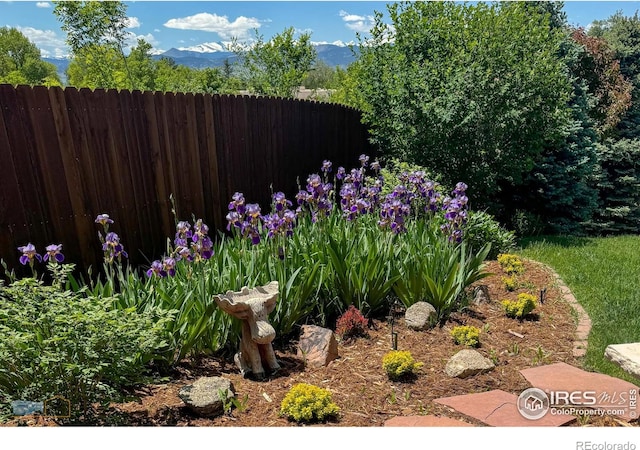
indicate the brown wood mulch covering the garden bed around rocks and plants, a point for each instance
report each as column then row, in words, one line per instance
column 357, row 381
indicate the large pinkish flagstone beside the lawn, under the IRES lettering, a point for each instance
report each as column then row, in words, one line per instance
column 612, row 396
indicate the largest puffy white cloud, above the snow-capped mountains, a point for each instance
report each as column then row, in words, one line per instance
column 221, row 25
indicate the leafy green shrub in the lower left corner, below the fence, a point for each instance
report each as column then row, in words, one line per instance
column 58, row 342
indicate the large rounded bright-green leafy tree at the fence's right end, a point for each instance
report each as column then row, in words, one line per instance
column 472, row 92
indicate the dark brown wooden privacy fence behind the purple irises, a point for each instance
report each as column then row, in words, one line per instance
column 67, row 155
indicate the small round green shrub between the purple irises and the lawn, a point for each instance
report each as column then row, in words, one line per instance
column 482, row 229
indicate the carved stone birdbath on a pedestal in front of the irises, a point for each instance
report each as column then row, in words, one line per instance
column 252, row 307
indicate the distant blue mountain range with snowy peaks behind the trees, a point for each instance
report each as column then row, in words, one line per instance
column 214, row 55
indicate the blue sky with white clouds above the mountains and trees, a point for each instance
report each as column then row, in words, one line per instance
column 198, row 24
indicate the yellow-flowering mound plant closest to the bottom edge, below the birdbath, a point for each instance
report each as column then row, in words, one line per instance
column 306, row 403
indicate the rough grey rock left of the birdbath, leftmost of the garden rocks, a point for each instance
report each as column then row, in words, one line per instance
column 203, row 396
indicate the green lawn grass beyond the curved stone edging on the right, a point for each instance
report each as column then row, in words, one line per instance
column 604, row 275
